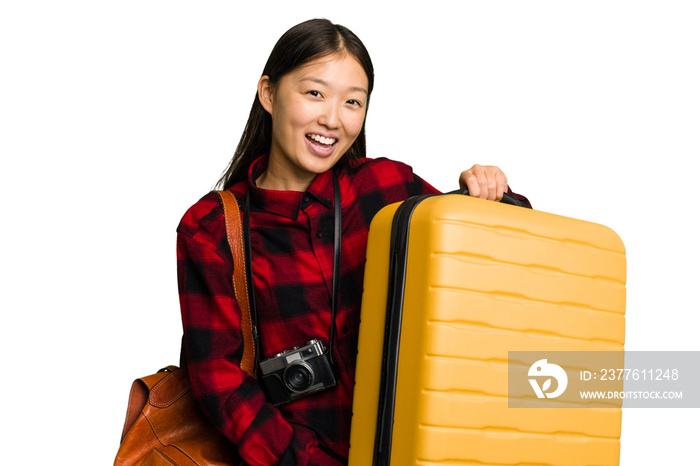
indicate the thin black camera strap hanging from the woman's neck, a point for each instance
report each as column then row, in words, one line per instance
column 337, row 225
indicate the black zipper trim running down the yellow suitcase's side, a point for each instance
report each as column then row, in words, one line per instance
column 392, row 330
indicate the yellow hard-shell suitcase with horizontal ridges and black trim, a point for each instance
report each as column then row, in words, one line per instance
column 470, row 281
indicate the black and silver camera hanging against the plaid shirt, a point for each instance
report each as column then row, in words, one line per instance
column 297, row 372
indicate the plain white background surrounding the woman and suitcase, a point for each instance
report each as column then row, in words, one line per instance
column 117, row 116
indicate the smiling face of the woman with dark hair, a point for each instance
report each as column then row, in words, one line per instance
column 317, row 113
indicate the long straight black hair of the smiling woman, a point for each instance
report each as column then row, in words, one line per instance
column 298, row 46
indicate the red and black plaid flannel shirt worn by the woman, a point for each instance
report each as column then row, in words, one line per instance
column 292, row 244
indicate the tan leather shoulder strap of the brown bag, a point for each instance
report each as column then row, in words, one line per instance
column 234, row 233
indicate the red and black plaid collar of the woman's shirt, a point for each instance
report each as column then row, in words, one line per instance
column 289, row 203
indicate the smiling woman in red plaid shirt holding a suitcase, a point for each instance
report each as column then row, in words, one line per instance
column 306, row 127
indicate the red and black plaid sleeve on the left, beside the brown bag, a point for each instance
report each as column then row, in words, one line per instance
column 213, row 350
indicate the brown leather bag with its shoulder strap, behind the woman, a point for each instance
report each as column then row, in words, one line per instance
column 164, row 424
